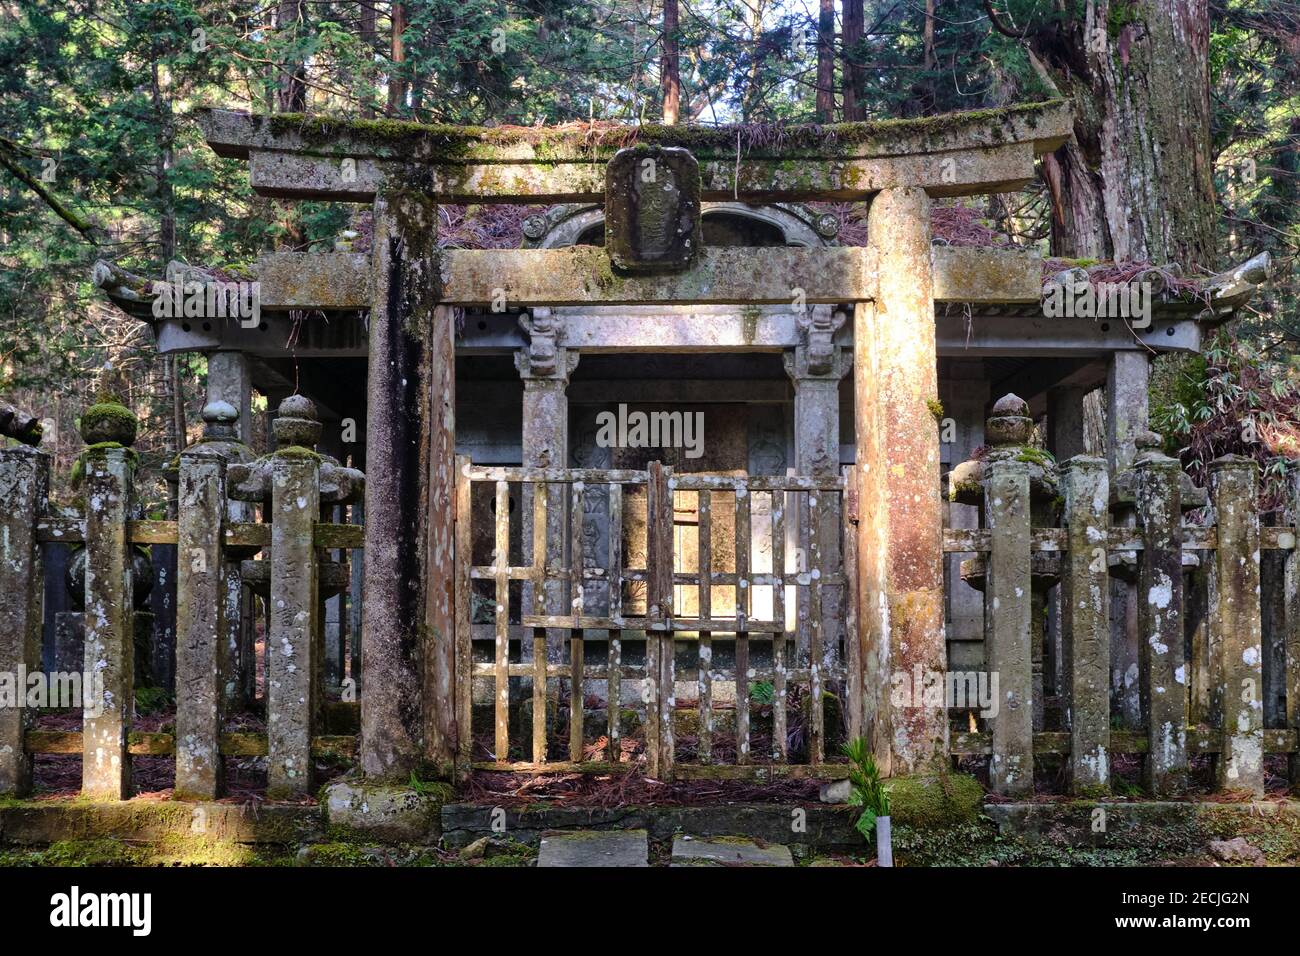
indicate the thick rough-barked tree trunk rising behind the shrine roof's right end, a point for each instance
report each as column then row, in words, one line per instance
column 1136, row 181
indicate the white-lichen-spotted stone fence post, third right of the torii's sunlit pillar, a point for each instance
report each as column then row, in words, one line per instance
column 1160, row 617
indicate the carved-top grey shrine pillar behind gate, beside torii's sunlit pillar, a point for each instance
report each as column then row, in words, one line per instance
column 817, row 369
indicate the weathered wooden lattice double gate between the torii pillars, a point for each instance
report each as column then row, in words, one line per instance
column 625, row 622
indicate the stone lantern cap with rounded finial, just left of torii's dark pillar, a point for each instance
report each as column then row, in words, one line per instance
column 297, row 430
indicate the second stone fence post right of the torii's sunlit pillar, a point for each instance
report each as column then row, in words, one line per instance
column 1086, row 624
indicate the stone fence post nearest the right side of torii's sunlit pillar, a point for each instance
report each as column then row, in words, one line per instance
column 1007, row 609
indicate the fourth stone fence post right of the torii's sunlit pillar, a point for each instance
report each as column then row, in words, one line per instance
column 1234, row 618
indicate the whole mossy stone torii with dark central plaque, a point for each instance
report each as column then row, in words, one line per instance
column 655, row 256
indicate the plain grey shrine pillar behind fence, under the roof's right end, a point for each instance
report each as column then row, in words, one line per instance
column 1128, row 378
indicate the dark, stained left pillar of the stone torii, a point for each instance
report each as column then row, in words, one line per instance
column 409, row 616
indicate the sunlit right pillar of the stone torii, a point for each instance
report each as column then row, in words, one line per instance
column 900, row 525
